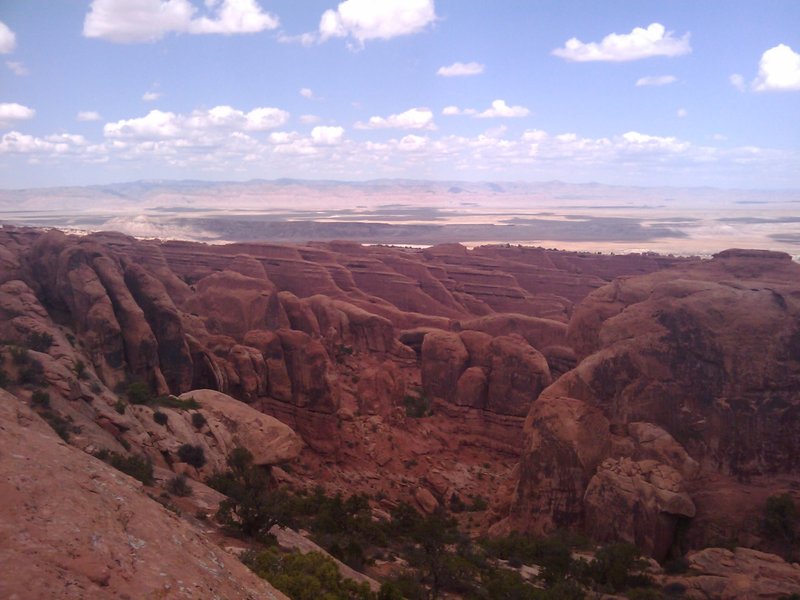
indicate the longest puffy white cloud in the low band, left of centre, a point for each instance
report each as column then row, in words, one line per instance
column 217, row 121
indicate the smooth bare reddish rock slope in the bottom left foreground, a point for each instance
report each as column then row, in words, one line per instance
column 73, row 527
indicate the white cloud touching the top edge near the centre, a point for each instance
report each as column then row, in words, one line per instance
column 367, row 19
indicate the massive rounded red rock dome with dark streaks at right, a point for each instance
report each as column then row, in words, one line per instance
column 687, row 398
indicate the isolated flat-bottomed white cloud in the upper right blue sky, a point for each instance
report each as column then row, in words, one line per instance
column 639, row 43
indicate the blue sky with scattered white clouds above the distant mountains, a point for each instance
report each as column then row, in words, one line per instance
column 626, row 92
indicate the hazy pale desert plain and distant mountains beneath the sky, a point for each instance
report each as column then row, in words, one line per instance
column 554, row 214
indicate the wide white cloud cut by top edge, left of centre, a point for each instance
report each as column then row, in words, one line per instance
column 130, row 21
